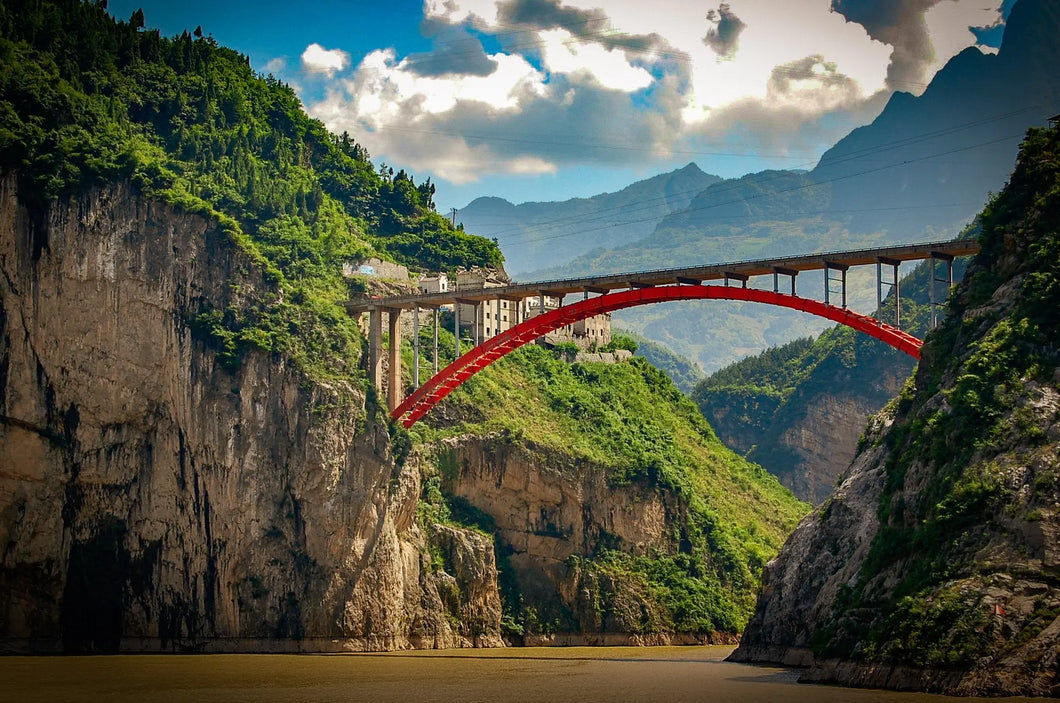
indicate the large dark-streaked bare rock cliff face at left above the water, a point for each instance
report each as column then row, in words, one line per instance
column 151, row 500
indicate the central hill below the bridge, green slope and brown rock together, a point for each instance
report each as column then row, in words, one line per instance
column 619, row 516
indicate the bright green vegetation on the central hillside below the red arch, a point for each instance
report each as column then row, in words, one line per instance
column 730, row 519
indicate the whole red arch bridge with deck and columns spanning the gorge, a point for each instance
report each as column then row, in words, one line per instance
column 506, row 318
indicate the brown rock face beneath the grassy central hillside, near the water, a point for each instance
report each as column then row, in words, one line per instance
column 546, row 511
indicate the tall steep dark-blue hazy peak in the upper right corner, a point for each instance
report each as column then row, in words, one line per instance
column 941, row 155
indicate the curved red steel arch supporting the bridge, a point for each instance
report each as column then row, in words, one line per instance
column 449, row 379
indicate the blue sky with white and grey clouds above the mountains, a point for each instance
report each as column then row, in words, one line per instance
column 549, row 100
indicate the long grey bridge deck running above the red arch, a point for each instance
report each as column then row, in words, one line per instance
column 668, row 276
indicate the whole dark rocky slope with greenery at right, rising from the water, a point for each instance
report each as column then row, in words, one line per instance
column 935, row 565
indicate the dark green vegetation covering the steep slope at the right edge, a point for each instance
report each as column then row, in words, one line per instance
column 973, row 480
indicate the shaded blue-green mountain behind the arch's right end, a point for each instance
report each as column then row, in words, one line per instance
column 800, row 409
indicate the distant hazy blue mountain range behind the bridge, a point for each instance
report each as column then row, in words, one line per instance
column 922, row 170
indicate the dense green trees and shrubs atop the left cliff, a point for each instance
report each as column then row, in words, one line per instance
column 86, row 100
